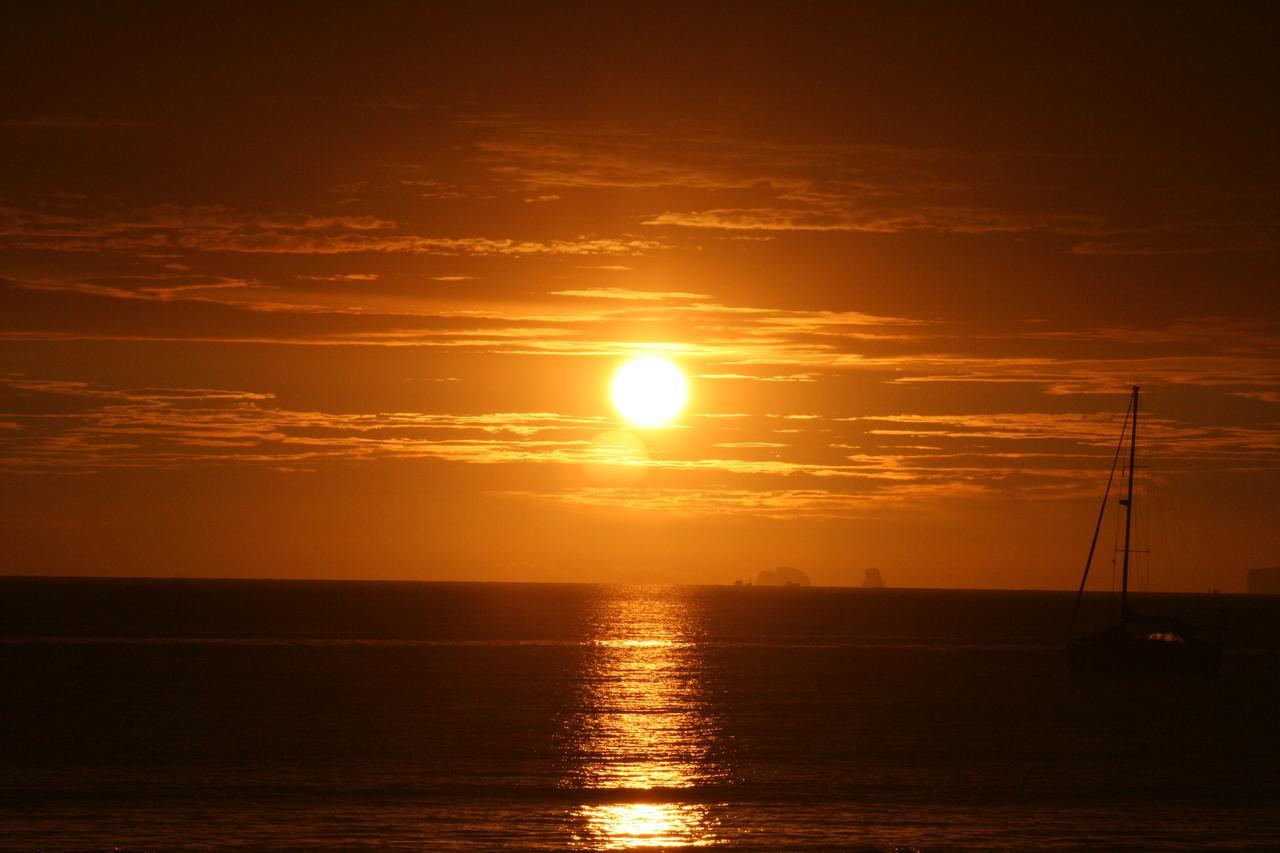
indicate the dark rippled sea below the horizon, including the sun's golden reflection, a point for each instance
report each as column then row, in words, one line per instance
column 158, row 715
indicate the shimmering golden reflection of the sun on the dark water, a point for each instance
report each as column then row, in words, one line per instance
column 643, row 733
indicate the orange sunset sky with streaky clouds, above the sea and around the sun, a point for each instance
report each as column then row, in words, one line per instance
column 298, row 295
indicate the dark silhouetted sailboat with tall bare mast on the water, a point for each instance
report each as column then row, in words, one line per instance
column 1139, row 644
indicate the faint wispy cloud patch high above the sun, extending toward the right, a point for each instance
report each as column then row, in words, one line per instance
column 756, row 186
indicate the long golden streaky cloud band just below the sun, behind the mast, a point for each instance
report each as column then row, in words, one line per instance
column 835, row 467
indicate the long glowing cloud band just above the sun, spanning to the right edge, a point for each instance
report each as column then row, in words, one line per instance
column 719, row 343
